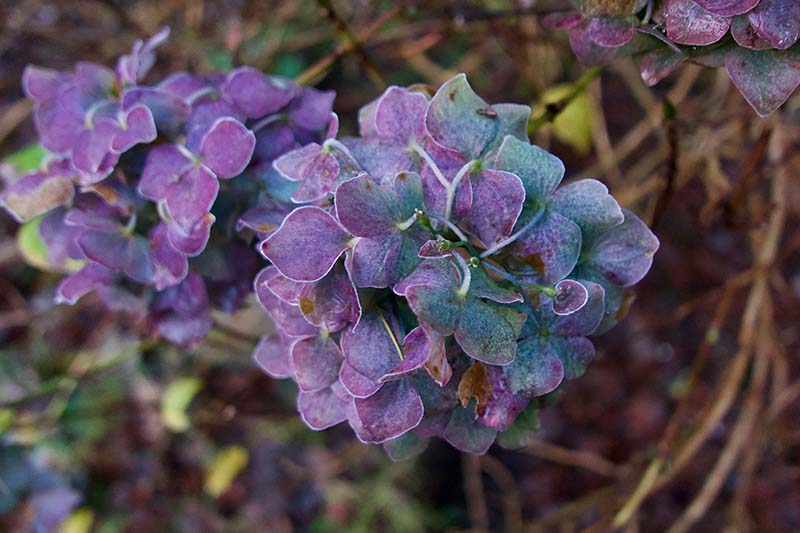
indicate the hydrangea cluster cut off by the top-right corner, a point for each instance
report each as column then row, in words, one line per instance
column 755, row 40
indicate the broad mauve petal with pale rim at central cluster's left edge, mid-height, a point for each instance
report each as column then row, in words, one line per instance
column 307, row 244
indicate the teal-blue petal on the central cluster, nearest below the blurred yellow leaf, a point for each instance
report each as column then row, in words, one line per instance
column 539, row 170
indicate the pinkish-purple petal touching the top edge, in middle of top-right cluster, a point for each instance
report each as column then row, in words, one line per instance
column 688, row 23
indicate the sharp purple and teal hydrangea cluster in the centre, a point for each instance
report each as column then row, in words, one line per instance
column 435, row 275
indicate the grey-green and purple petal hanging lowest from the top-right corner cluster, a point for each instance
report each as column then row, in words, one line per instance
column 766, row 78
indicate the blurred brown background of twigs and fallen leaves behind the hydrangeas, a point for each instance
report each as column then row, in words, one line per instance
column 689, row 418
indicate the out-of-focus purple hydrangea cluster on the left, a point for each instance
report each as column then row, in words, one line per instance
column 138, row 174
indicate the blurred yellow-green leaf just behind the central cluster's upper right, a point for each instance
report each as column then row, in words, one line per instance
column 575, row 124
